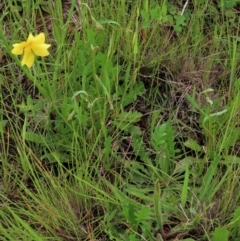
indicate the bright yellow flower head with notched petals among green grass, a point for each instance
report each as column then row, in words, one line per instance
column 33, row 46
